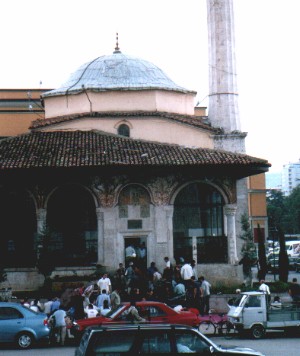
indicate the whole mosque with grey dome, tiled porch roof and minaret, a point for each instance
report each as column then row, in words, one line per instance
column 122, row 158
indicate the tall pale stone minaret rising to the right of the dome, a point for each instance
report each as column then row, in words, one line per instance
column 223, row 110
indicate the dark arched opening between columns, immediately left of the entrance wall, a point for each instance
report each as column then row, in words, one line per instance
column 71, row 219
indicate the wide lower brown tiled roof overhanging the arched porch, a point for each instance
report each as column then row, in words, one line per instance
column 67, row 149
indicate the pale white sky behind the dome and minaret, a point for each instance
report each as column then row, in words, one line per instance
column 43, row 42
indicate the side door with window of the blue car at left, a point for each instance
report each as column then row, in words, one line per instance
column 11, row 322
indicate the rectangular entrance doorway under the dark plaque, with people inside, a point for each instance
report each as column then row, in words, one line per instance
column 136, row 251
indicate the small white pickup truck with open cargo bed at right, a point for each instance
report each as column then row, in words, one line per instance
column 253, row 312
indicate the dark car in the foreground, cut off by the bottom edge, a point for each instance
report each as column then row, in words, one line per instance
column 163, row 339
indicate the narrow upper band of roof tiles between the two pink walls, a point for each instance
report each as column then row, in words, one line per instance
column 195, row 121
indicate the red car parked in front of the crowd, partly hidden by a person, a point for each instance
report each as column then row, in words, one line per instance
column 153, row 312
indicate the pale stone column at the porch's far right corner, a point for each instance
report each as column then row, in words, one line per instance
column 230, row 211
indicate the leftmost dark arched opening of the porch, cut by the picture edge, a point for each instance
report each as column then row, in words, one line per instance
column 17, row 229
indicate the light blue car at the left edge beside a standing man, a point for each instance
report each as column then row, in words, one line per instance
column 22, row 325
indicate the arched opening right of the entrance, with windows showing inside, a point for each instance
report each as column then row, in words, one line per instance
column 198, row 212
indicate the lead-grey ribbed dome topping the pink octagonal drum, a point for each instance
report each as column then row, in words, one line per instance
column 117, row 72
